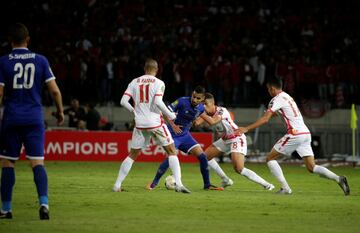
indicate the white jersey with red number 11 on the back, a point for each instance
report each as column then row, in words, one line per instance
column 143, row 90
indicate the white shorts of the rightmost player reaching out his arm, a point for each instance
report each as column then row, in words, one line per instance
column 289, row 143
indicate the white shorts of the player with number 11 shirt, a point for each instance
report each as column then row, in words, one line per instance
column 141, row 137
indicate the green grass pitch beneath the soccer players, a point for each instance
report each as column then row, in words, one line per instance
column 81, row 201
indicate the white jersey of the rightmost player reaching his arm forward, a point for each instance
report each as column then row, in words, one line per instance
column 284, row 105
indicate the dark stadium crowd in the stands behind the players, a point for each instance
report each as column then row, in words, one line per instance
column 231, row 47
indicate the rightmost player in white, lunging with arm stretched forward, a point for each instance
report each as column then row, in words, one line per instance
column 298, row 137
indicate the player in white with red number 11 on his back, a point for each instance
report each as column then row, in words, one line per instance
column 147, row 92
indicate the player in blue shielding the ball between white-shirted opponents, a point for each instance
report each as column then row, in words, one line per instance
column 187, row 109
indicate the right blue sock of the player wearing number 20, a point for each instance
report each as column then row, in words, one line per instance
column 40, row 179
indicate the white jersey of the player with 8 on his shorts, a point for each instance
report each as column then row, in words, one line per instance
column 226, row 126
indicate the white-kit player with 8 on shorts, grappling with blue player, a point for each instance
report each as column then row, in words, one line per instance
column 229, row 143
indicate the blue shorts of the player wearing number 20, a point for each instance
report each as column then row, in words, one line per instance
column 14, row 136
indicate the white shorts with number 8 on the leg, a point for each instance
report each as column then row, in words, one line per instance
column 236, row 145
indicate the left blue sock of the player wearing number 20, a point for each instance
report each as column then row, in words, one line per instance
column 7, row 184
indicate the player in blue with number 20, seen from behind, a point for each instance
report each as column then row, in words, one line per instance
column 22, row 75
